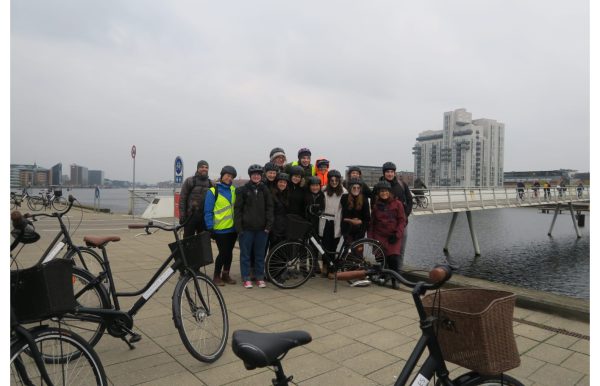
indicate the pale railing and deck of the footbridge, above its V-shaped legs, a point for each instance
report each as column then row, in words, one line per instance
column 452, row 199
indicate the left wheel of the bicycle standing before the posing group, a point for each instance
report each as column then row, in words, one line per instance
column 289, row 265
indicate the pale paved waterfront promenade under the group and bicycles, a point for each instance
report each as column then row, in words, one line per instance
column 361, row 336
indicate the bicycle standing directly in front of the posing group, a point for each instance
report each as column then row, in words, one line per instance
column 291, row 263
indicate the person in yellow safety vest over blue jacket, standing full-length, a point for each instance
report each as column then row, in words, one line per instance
column 218, row 217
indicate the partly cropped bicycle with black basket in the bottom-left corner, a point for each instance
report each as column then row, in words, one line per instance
column 45, row 355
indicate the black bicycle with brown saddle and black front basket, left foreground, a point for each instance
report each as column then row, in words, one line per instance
column 199, row 311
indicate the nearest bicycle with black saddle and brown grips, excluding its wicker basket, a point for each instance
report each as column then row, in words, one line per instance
column 259, row 350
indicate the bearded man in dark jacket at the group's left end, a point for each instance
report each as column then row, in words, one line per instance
column 191, row 200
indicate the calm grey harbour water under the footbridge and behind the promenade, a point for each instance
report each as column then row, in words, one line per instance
column 515, row 248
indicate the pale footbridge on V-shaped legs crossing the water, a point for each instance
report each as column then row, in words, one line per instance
column 468, row 199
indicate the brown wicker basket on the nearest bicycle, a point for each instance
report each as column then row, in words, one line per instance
column 474, row 328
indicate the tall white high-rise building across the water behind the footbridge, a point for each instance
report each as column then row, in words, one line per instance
column 466, row 152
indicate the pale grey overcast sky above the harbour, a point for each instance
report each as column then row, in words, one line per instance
column 354, row 81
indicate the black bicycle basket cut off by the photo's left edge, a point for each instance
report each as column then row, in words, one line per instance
column 42, row 291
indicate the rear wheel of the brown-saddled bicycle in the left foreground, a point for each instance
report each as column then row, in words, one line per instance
column 89, row 328
